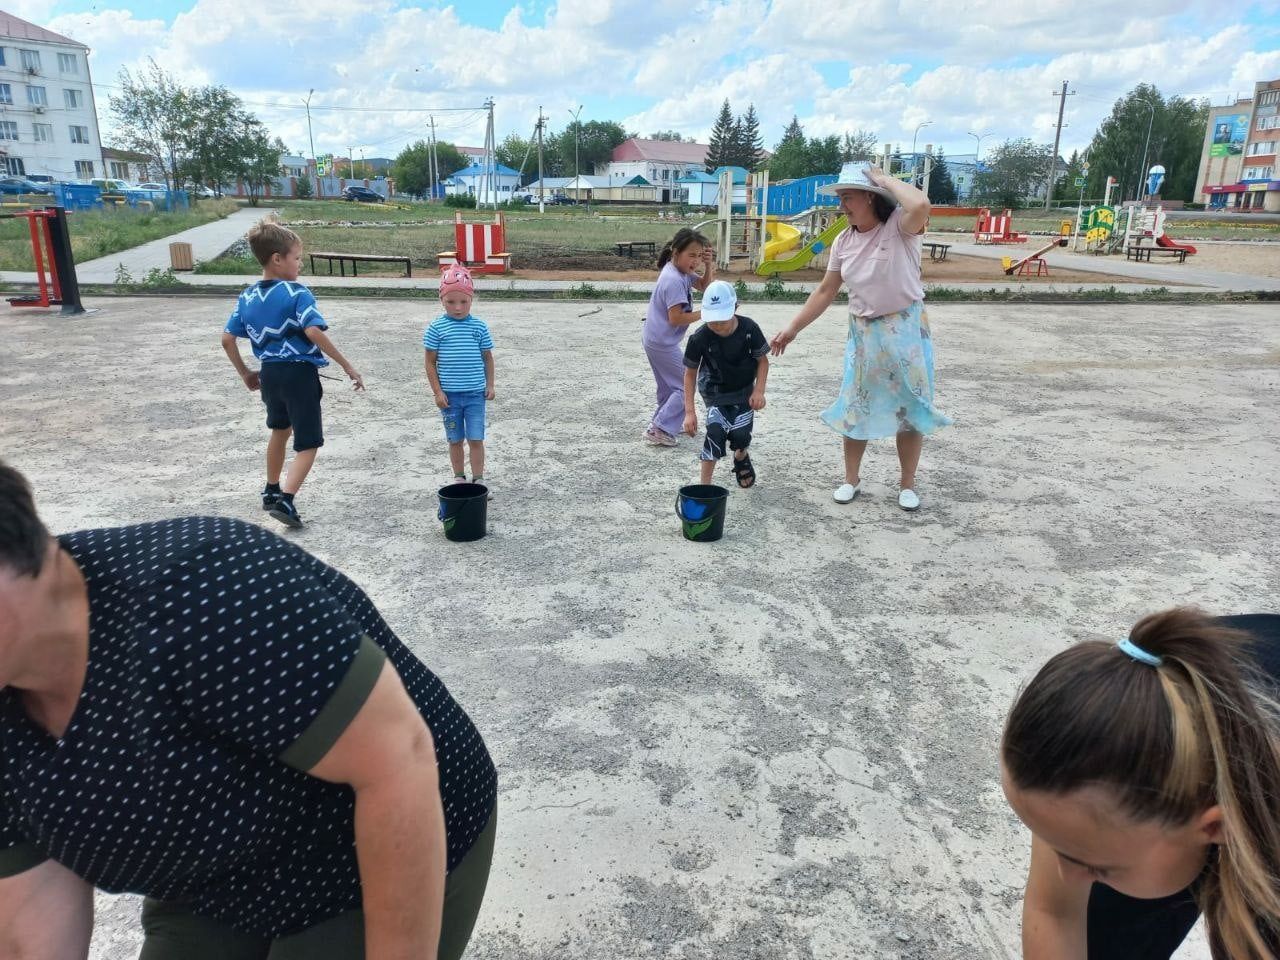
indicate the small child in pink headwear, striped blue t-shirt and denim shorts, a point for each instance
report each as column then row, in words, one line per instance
column 460, row 371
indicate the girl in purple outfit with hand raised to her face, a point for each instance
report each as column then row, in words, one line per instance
column 671, row 313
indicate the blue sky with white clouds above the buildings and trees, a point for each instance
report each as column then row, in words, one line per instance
column 380, row 67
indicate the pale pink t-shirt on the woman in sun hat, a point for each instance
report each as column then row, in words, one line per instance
column 881, row 268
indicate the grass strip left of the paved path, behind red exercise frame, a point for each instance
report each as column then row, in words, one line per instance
column 97, row 234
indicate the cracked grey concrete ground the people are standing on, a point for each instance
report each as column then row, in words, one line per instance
column 781, row 746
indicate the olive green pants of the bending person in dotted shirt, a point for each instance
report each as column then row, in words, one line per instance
column 176, row 934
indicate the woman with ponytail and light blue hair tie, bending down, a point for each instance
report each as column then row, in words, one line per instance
column 1149, row 774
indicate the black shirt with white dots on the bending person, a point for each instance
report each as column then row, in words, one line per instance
column 220, row 656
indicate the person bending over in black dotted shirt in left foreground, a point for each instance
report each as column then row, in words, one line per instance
column 203, row 714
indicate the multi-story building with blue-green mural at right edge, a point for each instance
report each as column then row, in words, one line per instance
column 1238, row 161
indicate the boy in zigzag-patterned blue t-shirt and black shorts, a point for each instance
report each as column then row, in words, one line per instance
column 287, row 333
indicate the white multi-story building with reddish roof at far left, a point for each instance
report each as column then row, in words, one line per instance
column 48, row 117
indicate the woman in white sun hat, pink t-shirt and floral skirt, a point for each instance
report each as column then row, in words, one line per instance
column 888, row 388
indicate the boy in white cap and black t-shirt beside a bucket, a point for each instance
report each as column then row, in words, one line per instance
column 730, row 360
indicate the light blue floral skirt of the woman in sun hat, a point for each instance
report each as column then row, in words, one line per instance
column 889, row 378
